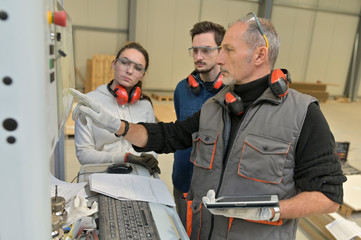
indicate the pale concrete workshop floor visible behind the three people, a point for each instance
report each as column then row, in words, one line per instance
column 344, row 119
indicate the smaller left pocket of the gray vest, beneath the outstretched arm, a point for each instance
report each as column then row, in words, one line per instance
column 203, row 148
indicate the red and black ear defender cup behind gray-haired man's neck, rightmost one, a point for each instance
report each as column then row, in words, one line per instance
column 279, row 82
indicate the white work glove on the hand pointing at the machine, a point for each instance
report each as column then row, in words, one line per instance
column 87, row 107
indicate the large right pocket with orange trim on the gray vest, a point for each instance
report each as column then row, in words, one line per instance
column 263, row 159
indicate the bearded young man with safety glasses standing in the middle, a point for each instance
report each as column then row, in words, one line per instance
column 190, row 94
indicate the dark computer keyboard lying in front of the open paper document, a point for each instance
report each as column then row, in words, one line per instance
column 125, row 220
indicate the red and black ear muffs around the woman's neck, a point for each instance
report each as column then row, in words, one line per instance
column 122, row 96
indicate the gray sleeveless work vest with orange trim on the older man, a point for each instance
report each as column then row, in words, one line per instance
column 260, row 161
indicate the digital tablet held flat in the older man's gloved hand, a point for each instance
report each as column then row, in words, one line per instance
column 244, row 201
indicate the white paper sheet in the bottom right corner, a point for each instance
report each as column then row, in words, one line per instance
column 343, row 229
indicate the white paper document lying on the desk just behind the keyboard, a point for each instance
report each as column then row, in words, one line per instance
column 129, row 186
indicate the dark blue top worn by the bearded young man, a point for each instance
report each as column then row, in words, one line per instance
column 186, row 103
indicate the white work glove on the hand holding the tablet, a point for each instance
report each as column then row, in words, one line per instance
column 255, row 214
